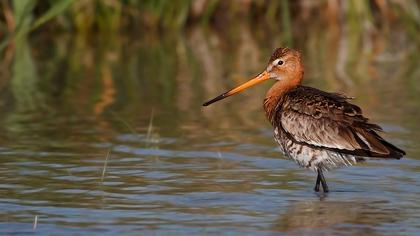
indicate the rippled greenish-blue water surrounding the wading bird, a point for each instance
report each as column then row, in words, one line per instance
column 177, row 168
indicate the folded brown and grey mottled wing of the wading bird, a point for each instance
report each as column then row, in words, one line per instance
column 326, row 120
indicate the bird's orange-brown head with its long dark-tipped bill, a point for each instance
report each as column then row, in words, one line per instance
column 284, row 65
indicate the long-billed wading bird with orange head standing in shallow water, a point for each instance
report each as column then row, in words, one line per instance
column 318, row 130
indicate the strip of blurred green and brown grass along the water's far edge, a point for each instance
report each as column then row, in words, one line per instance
column 89, row 16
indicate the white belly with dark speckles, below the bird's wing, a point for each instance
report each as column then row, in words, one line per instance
column 310, row 157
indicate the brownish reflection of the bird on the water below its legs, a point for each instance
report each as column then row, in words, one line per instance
column 335, row 217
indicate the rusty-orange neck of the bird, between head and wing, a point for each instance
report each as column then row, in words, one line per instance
column 276, row 92
